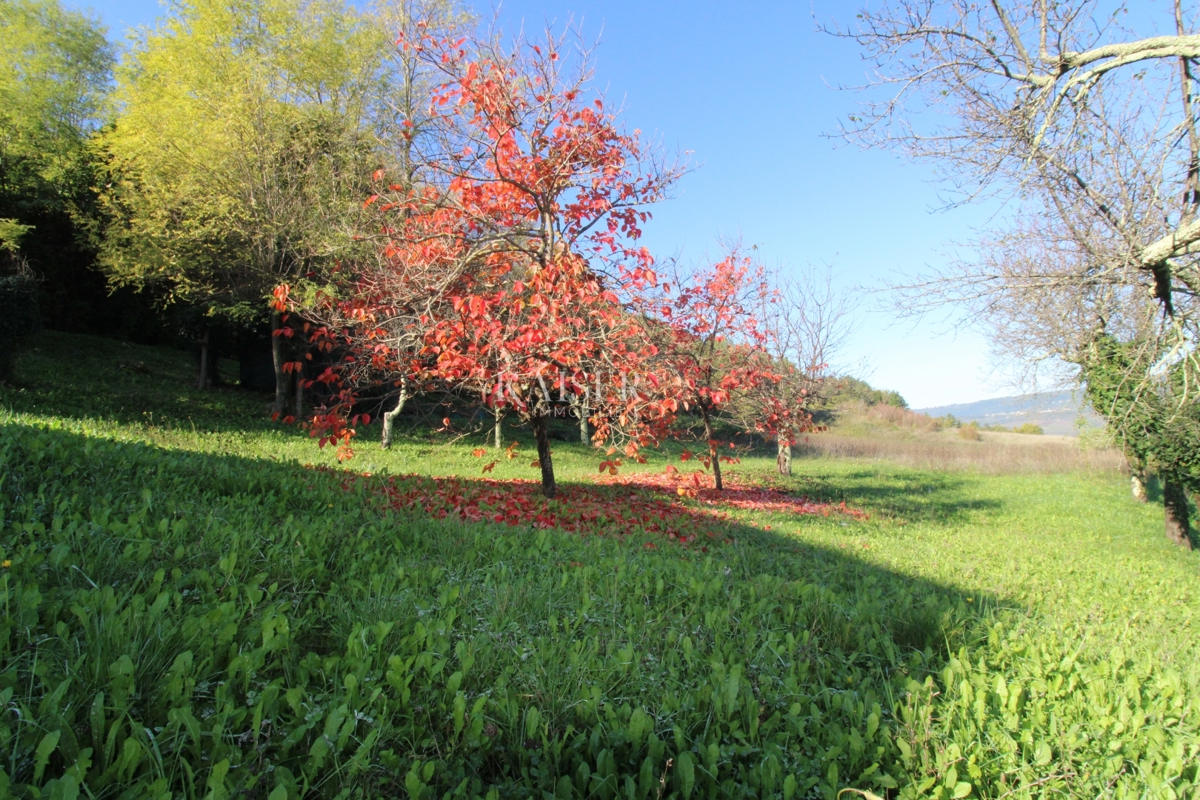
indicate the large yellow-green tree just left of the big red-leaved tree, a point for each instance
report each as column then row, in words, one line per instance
column 244, row 145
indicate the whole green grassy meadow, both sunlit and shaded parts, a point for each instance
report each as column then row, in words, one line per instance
column 191, row 612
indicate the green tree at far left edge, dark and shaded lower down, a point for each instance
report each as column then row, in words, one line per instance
column 56, row 68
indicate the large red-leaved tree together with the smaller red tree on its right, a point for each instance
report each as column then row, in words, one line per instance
column 509, row 268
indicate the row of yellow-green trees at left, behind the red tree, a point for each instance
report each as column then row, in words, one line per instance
column 229, row 149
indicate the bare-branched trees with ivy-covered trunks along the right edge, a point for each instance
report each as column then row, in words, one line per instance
column 1085, row 124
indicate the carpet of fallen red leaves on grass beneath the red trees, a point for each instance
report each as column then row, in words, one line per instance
column 650, row 503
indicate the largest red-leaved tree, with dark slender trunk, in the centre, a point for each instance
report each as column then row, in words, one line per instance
column 509, row 261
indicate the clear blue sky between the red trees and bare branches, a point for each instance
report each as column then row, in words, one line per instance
column 751, row 89
